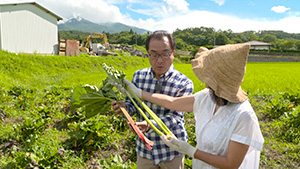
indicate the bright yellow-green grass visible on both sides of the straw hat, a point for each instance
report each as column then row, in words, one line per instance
column 265, row 78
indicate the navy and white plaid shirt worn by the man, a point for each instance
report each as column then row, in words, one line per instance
column 172, row 83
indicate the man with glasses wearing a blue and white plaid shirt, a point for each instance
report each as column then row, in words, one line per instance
column 162, row 78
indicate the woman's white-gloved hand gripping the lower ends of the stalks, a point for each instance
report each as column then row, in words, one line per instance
column 179, row 145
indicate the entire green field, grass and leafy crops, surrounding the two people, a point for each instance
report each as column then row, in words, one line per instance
column 38, row 128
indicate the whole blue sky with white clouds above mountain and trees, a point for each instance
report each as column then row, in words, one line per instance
column 237, row 15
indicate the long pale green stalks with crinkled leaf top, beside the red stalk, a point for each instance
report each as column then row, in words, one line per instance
column 117, row 77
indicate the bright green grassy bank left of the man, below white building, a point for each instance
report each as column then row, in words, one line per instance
column 35, row 71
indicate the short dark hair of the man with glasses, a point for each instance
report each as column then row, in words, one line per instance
column 159, row 34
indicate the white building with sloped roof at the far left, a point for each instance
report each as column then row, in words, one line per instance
column 28, row 28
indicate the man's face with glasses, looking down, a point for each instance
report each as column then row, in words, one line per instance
column 160, row 64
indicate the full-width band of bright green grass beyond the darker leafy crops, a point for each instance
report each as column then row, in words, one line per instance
column 35, row 71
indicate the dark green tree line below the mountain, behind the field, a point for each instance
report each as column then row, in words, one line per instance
column 190, row 39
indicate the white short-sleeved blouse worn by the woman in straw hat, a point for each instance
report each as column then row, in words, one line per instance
column 235, row 121
